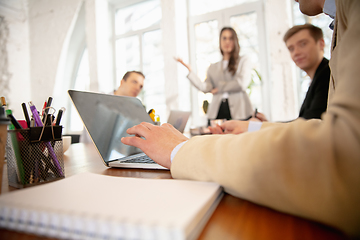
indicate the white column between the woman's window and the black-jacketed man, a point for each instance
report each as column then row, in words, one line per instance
column 284, row 104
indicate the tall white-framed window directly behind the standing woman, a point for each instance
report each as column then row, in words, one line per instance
column 247, row 20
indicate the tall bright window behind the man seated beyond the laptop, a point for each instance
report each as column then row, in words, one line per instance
column 139, row 47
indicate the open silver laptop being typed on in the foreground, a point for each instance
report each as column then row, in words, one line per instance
column 106, row 118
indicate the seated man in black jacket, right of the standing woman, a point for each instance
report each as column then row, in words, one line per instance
column 306, row 46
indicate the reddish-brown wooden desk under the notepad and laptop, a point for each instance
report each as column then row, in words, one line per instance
column 234, row 218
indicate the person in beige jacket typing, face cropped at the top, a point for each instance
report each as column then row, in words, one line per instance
column 306, row 168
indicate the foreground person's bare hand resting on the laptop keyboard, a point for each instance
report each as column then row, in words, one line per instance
column 158, row 143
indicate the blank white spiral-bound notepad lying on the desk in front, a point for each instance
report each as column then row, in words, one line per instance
column 93, row 206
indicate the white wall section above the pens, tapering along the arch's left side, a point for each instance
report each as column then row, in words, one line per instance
column 49, row 23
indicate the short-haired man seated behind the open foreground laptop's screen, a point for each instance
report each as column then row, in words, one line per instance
column 130, row 86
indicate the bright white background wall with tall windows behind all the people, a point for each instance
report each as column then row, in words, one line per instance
column 50, row 46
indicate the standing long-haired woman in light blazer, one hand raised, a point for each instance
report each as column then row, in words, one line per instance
column 227, row 80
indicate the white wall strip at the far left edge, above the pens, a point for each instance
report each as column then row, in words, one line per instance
column 15, row 56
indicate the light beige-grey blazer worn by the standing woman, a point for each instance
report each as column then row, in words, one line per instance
column 217, row 77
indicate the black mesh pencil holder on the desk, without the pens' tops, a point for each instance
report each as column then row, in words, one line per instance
column 34, row 156
